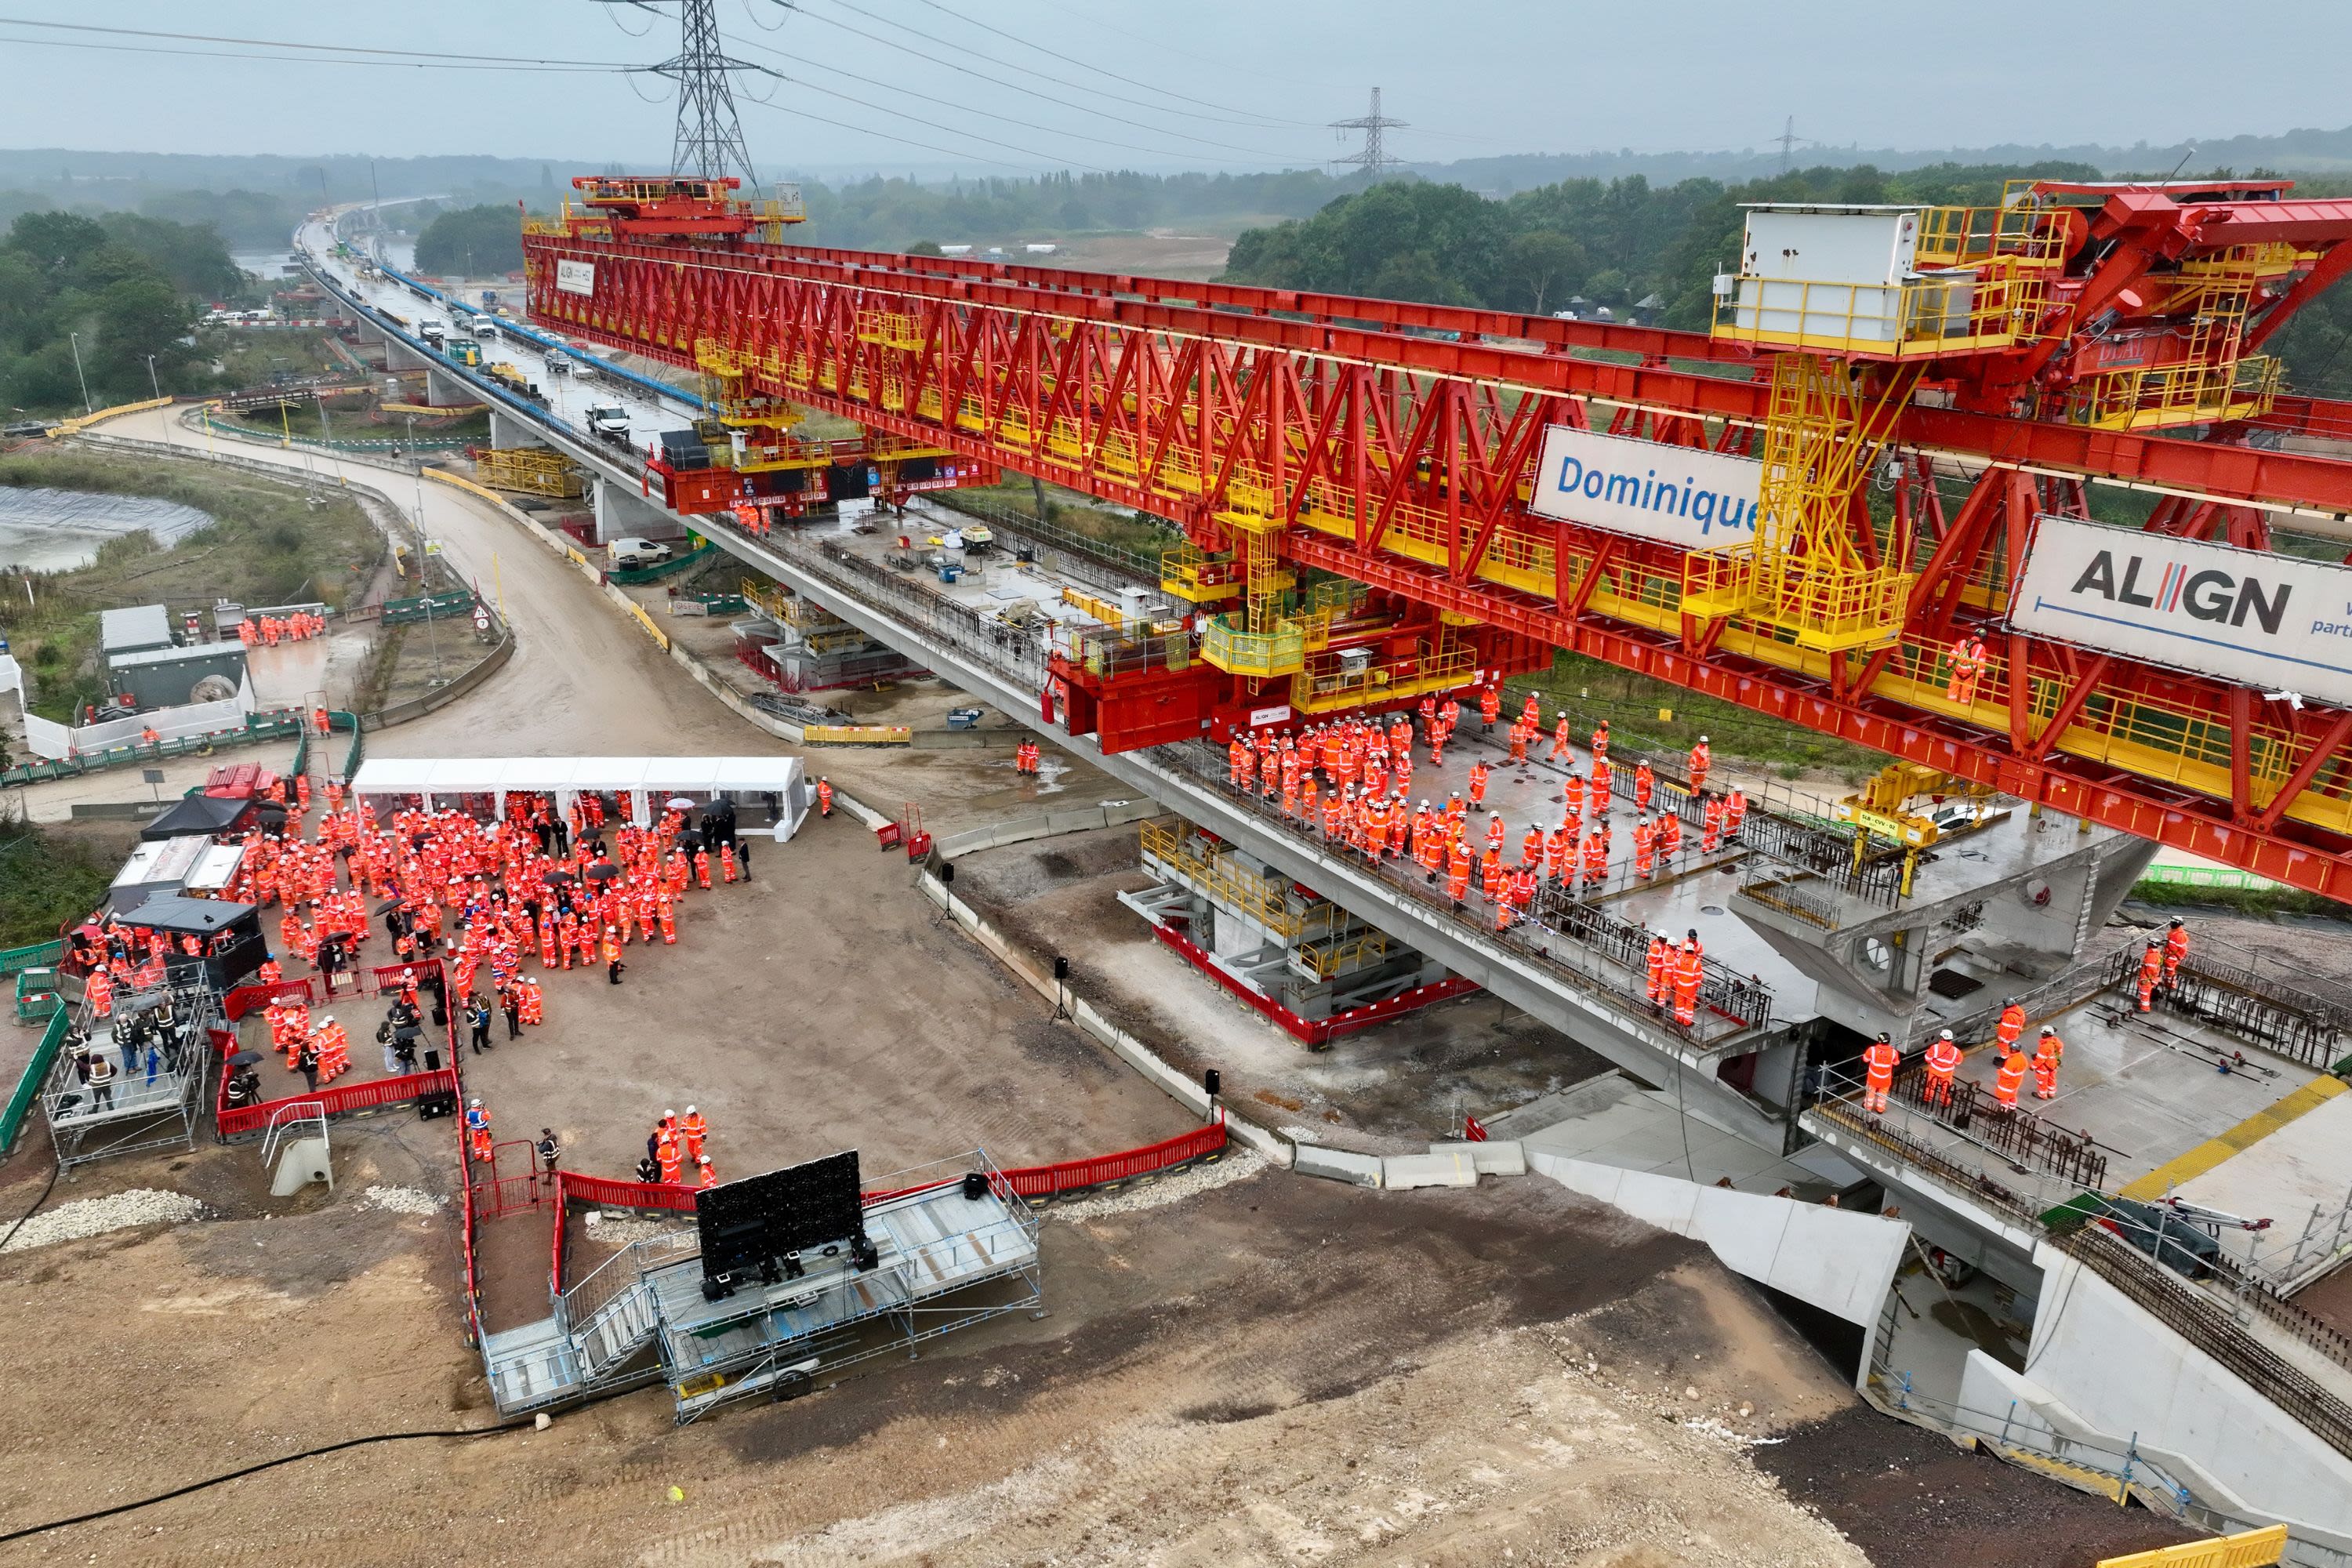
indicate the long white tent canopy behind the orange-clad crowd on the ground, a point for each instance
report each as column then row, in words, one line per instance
column 448, row 782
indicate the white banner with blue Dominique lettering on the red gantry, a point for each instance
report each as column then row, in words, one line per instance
column 1673, row 495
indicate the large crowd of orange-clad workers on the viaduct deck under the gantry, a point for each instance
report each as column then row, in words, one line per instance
column 1351, row 779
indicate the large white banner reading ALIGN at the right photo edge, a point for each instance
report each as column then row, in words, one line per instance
column 2245, row 617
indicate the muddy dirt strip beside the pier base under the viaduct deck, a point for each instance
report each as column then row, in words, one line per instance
column 1382, row 1090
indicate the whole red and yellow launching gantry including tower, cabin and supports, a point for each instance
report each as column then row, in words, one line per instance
column 1923, row 403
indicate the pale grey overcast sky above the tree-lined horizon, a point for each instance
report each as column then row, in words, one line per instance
column 1212, row 83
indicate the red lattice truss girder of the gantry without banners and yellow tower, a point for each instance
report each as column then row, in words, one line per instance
column 1398, row 441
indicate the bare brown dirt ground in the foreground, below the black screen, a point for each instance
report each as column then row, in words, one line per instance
column 1274, row 1372
